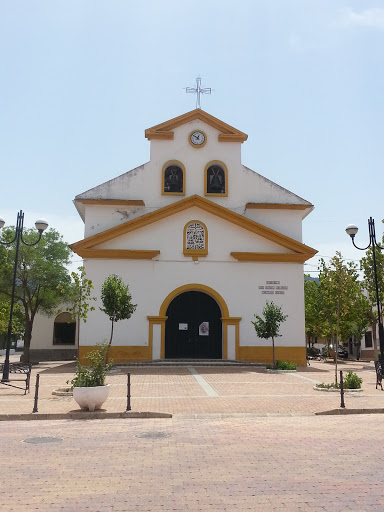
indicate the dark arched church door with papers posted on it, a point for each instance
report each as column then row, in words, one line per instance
column 193, row 328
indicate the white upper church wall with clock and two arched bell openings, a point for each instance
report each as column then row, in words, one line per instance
column 145, row 183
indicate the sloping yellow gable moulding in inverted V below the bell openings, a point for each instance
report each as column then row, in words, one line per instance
column 303, row 252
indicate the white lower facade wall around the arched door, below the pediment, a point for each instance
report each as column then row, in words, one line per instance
column 238, row 283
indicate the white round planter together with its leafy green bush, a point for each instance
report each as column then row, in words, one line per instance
column 89, row 388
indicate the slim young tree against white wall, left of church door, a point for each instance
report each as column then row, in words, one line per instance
column 117, row 302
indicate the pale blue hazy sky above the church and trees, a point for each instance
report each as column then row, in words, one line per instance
column 82, row 79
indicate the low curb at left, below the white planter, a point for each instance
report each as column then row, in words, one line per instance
column 84, row 415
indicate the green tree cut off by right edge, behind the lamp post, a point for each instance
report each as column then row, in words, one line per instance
column 366, row 265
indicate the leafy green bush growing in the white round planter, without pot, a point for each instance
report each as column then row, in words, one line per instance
column 95, row 373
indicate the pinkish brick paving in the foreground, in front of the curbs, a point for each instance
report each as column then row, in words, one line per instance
column 301, row 463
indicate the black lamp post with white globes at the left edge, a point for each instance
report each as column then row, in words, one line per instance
column 41, row 225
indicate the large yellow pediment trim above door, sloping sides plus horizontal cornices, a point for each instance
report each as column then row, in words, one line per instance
column 85, row 247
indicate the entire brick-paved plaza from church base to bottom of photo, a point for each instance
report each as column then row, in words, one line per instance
column 239, row 439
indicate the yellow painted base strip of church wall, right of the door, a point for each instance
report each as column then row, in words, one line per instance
column 295, row 355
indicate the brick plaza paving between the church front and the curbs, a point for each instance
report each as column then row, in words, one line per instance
column 176, row 390
